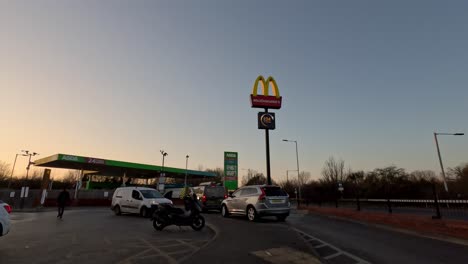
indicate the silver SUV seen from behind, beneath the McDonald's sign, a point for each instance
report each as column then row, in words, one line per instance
column 256, row 201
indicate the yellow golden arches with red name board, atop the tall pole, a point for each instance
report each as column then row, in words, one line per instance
column 265, row 100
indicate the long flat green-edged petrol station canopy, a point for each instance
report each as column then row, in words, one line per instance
column 106, row 167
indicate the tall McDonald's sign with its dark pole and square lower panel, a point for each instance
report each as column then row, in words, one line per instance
column 266, row 120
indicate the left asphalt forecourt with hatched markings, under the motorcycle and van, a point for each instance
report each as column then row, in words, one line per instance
column 98, row 236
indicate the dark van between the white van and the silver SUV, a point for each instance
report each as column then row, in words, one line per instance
column 210, row 196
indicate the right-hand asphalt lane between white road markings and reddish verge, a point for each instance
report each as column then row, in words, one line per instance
column 375, row 245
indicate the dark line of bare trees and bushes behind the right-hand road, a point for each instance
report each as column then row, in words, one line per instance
column 389, row 182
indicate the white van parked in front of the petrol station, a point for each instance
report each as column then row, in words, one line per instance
column 136, row 200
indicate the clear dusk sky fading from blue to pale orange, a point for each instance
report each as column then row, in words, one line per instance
column 363, row 81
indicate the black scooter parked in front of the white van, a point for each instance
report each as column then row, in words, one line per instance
column 166, row 215
